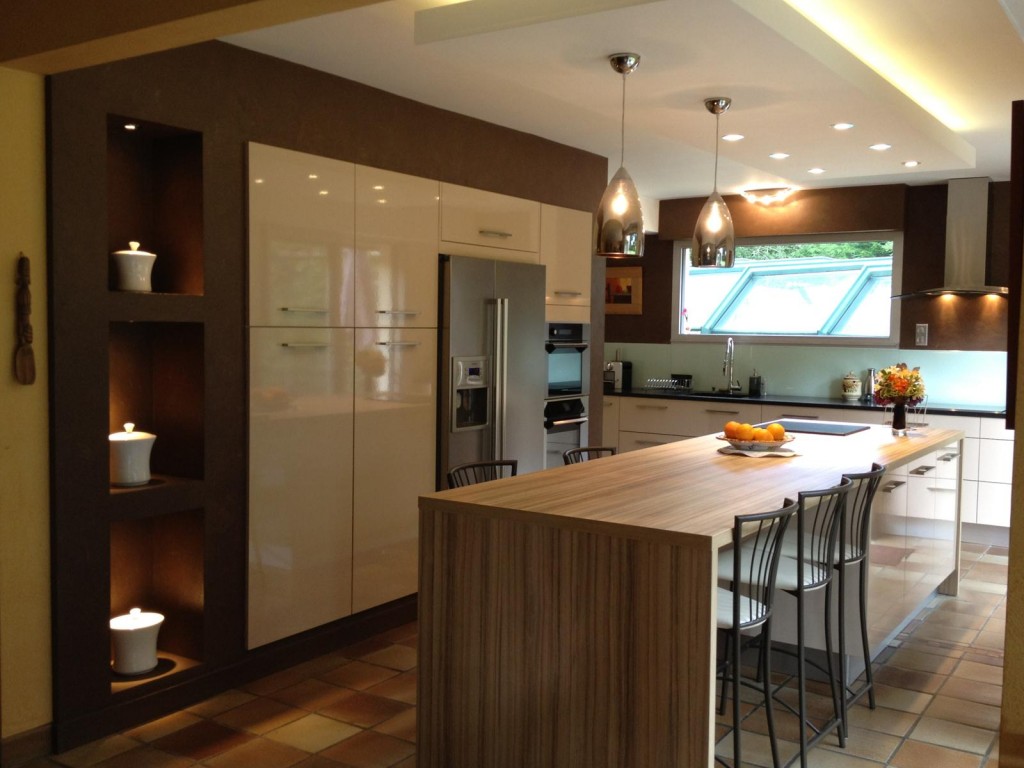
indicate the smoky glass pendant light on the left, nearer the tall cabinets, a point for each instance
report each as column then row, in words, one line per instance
column 620, row 221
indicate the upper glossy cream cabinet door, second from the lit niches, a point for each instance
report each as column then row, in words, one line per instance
column 397, row 233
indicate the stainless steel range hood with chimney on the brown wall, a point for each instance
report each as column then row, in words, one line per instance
column 967, row 236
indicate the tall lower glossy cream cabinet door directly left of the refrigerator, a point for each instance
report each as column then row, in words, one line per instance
column 396, row 409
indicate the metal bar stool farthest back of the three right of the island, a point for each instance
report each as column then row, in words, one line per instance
column 859, row 538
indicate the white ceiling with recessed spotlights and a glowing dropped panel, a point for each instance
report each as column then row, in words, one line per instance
column 541, row 67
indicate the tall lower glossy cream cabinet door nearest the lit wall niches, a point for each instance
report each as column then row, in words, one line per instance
column 301, row 480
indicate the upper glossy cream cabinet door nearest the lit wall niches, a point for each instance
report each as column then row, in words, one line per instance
column 302, row 239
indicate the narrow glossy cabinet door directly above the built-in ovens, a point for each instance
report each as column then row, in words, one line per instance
column 567, row 251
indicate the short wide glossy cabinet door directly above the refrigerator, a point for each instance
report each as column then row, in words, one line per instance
column 482, row 224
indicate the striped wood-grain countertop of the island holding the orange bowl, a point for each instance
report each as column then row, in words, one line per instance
column 686, row 492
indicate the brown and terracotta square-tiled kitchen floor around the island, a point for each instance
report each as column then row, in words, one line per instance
column 938, row 689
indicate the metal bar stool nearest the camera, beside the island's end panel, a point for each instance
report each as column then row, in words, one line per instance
column 747, row 606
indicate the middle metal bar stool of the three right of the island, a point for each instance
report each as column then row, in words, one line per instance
column 820, row 522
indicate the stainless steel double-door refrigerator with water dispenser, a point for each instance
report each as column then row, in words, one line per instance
column 493, row 364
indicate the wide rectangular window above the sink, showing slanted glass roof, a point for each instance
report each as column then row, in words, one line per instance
column 831, row 288
